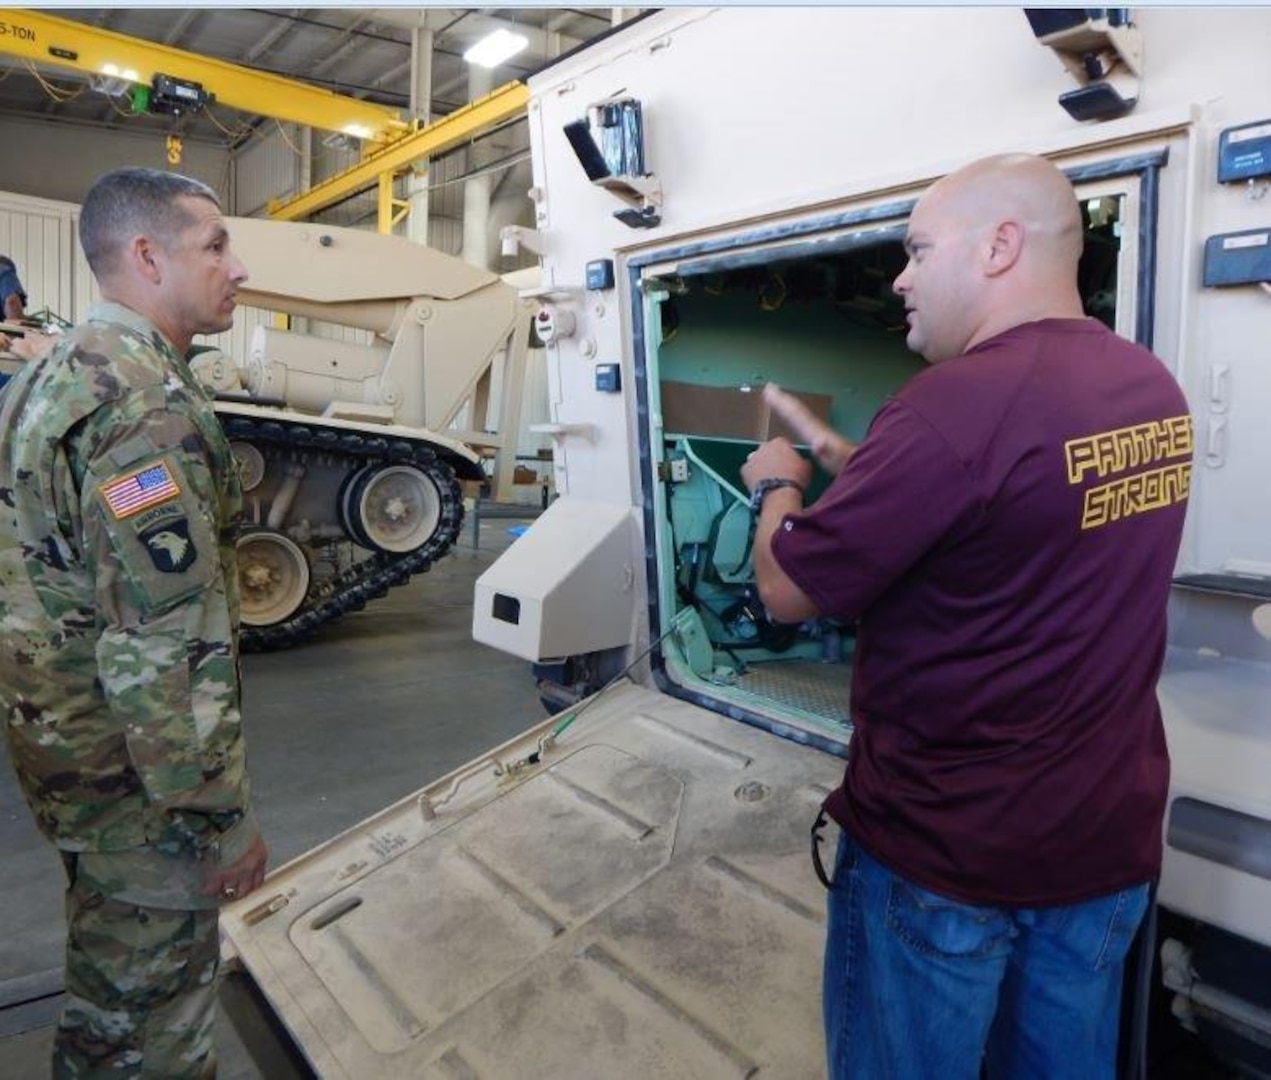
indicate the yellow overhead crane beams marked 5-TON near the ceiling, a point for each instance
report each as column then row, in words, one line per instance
column 393, row 143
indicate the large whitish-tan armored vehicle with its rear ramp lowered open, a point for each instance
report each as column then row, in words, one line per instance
column 721, row 198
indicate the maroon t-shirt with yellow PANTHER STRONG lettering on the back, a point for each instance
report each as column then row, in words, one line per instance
column 1006, row 536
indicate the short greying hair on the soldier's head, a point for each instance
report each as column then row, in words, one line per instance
column 130, row 203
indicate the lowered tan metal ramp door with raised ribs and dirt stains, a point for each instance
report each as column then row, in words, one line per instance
column 636, row 904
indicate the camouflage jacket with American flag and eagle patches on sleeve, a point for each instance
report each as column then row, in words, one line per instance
column 119, row 599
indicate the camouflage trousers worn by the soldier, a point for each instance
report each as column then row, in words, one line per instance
column 140, row 989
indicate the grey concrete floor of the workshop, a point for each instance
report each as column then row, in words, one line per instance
column 373, row 708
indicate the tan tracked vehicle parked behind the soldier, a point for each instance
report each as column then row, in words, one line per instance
column 350, row 457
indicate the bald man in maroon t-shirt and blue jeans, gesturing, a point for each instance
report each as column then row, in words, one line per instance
column 1005, row 539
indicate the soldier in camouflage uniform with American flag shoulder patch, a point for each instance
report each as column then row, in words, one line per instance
column 119, row 612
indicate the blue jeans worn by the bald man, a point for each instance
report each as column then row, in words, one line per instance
column 922, row 987
